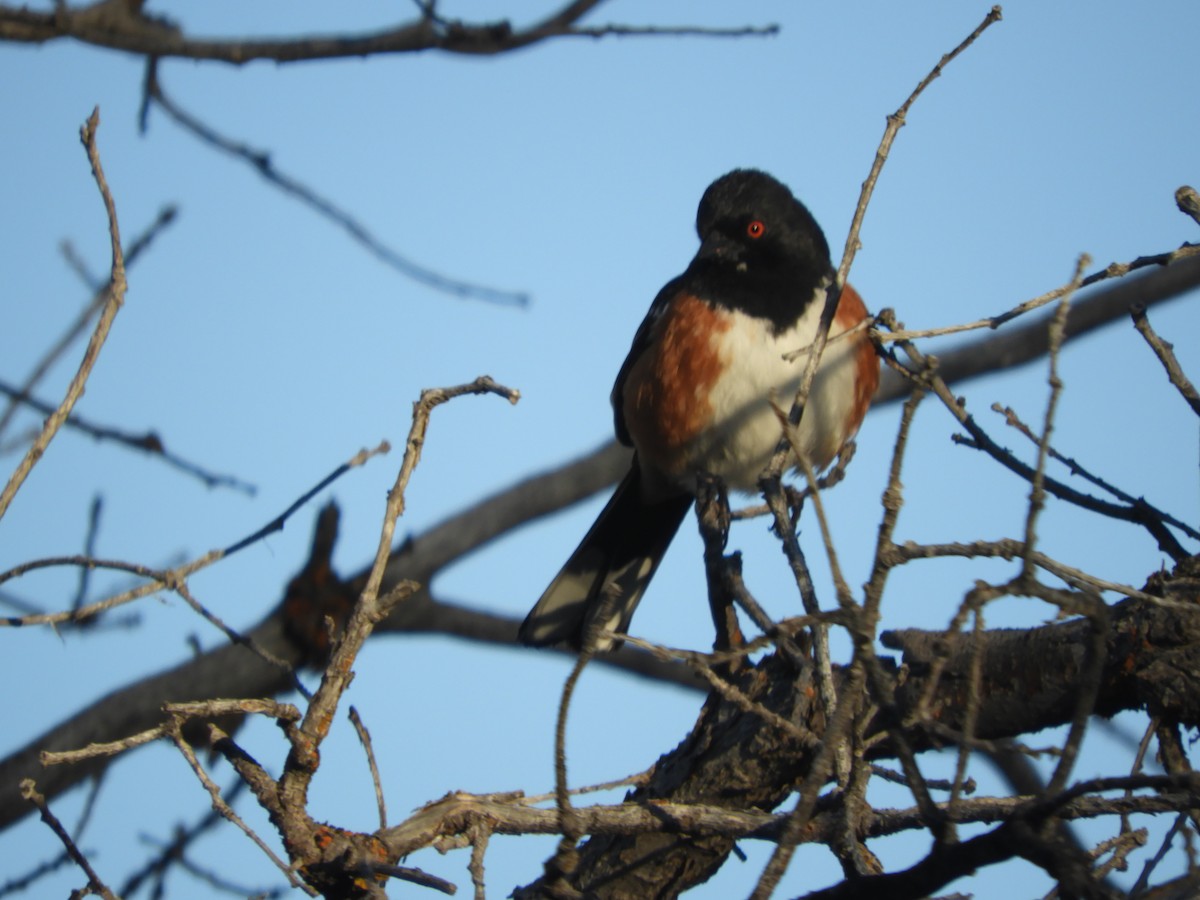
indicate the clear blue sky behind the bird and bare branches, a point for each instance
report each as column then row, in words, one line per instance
column 261, row 341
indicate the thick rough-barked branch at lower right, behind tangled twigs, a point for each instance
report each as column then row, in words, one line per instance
column 1030, row 681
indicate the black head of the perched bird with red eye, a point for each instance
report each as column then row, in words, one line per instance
column 761, row 250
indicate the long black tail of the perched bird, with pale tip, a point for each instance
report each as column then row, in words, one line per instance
column 608, row 574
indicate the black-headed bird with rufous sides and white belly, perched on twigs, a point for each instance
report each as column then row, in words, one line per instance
column 695, row 395
